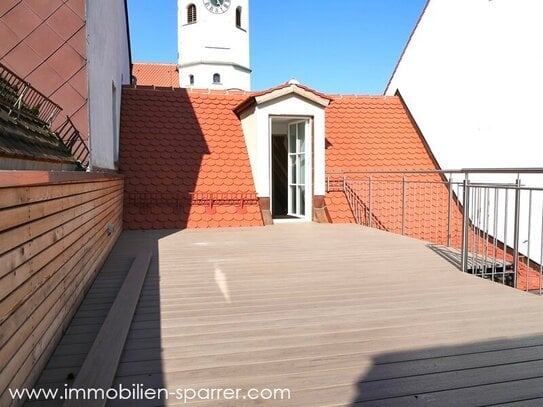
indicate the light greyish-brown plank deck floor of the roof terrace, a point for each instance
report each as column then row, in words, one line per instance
column 337, row 314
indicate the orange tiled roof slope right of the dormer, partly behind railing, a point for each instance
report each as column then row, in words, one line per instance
column 376, row 133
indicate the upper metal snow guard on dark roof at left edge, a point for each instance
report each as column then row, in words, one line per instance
column 19, row 98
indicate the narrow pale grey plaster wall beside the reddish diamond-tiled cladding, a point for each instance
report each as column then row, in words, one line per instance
column 108, row 69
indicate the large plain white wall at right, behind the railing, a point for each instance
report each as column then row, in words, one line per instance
column 471, row 78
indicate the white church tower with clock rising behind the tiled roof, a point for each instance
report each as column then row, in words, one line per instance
column 214, row 44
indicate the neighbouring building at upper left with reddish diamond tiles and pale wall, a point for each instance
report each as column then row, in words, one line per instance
column 77, row 54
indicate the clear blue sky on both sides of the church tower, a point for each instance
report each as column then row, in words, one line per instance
column 331, row 46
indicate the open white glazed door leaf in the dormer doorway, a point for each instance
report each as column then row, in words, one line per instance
column 297, row 169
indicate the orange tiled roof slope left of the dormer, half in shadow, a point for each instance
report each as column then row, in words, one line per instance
column 174, row 143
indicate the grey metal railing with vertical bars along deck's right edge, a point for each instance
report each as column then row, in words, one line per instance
column 485, row 221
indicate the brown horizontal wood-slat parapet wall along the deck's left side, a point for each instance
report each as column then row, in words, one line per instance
column 53, row 240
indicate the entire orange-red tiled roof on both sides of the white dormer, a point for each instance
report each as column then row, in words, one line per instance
column 186, row 165
